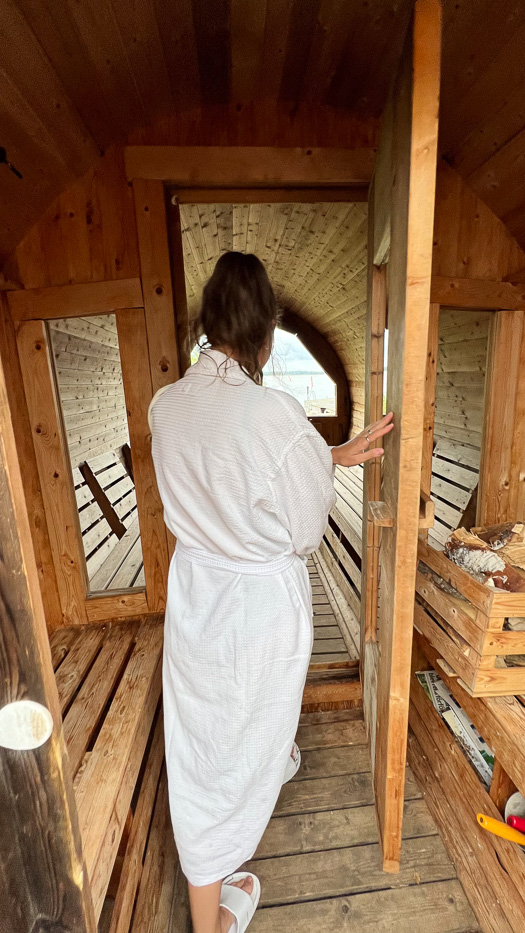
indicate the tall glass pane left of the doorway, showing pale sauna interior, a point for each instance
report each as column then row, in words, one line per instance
column 90, row 387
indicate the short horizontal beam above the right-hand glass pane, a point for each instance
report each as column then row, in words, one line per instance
column 476, row 293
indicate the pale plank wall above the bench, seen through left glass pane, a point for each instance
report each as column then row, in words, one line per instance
column 89, row 376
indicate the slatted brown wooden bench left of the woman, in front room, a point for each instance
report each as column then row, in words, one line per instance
column 109, row 685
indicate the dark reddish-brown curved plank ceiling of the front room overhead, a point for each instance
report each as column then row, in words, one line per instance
column 79, row 76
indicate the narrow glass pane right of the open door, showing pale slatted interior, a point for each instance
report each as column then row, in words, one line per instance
column 460, row 388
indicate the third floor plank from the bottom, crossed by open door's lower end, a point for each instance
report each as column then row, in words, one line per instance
column 315, row 832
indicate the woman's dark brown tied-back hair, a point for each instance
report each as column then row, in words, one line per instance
column 238, row 309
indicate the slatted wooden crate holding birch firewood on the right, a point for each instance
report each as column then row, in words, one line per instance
column 468, row 632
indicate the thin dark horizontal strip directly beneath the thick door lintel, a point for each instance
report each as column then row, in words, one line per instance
column 189, row 195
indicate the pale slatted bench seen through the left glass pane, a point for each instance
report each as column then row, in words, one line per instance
column 113, row 556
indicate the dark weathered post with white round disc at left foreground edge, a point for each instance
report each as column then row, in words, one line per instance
column 43, row 881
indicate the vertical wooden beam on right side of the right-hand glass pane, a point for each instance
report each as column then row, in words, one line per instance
column 499, row 479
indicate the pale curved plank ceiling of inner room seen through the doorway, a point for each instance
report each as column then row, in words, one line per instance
column 315, row 255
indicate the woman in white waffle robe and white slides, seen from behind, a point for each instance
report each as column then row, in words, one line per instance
column 247, row 485
